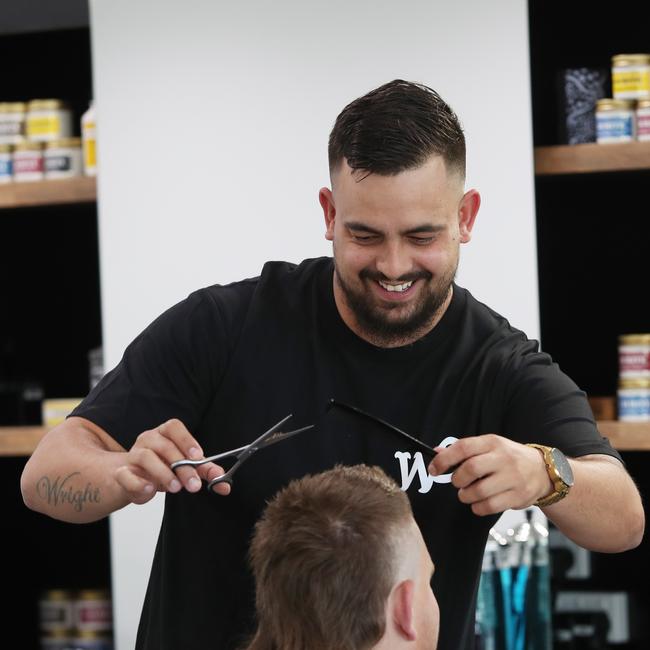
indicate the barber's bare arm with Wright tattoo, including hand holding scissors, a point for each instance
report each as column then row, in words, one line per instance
column 79, row 473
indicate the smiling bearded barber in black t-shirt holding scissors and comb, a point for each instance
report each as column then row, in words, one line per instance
column 381, row 327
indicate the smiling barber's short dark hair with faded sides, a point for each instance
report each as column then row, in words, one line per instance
column 396, row 127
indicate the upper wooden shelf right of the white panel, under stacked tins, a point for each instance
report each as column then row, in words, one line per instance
column 589, row 158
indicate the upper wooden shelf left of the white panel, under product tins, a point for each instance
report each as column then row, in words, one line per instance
column 82, row 189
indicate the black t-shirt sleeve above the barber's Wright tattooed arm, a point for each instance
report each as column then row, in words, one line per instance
column 171, row 370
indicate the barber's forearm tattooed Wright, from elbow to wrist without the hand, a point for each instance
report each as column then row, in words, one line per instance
column 70, row 476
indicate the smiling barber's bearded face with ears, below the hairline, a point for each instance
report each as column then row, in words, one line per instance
column 396, row 247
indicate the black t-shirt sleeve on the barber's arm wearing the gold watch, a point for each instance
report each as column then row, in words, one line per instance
column 544, row 405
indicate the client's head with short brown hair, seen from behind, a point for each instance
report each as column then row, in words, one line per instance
column 340, row 564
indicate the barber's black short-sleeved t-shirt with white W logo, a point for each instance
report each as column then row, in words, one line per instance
column 230, row 361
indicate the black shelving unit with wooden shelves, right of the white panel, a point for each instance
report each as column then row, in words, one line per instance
column 592, row 232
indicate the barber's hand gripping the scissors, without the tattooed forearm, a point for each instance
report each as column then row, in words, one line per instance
column 147, row 464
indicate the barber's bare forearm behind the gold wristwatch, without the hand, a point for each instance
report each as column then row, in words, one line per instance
column 603, row 511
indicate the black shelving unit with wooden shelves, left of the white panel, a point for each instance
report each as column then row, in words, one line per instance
column 50, row 313
